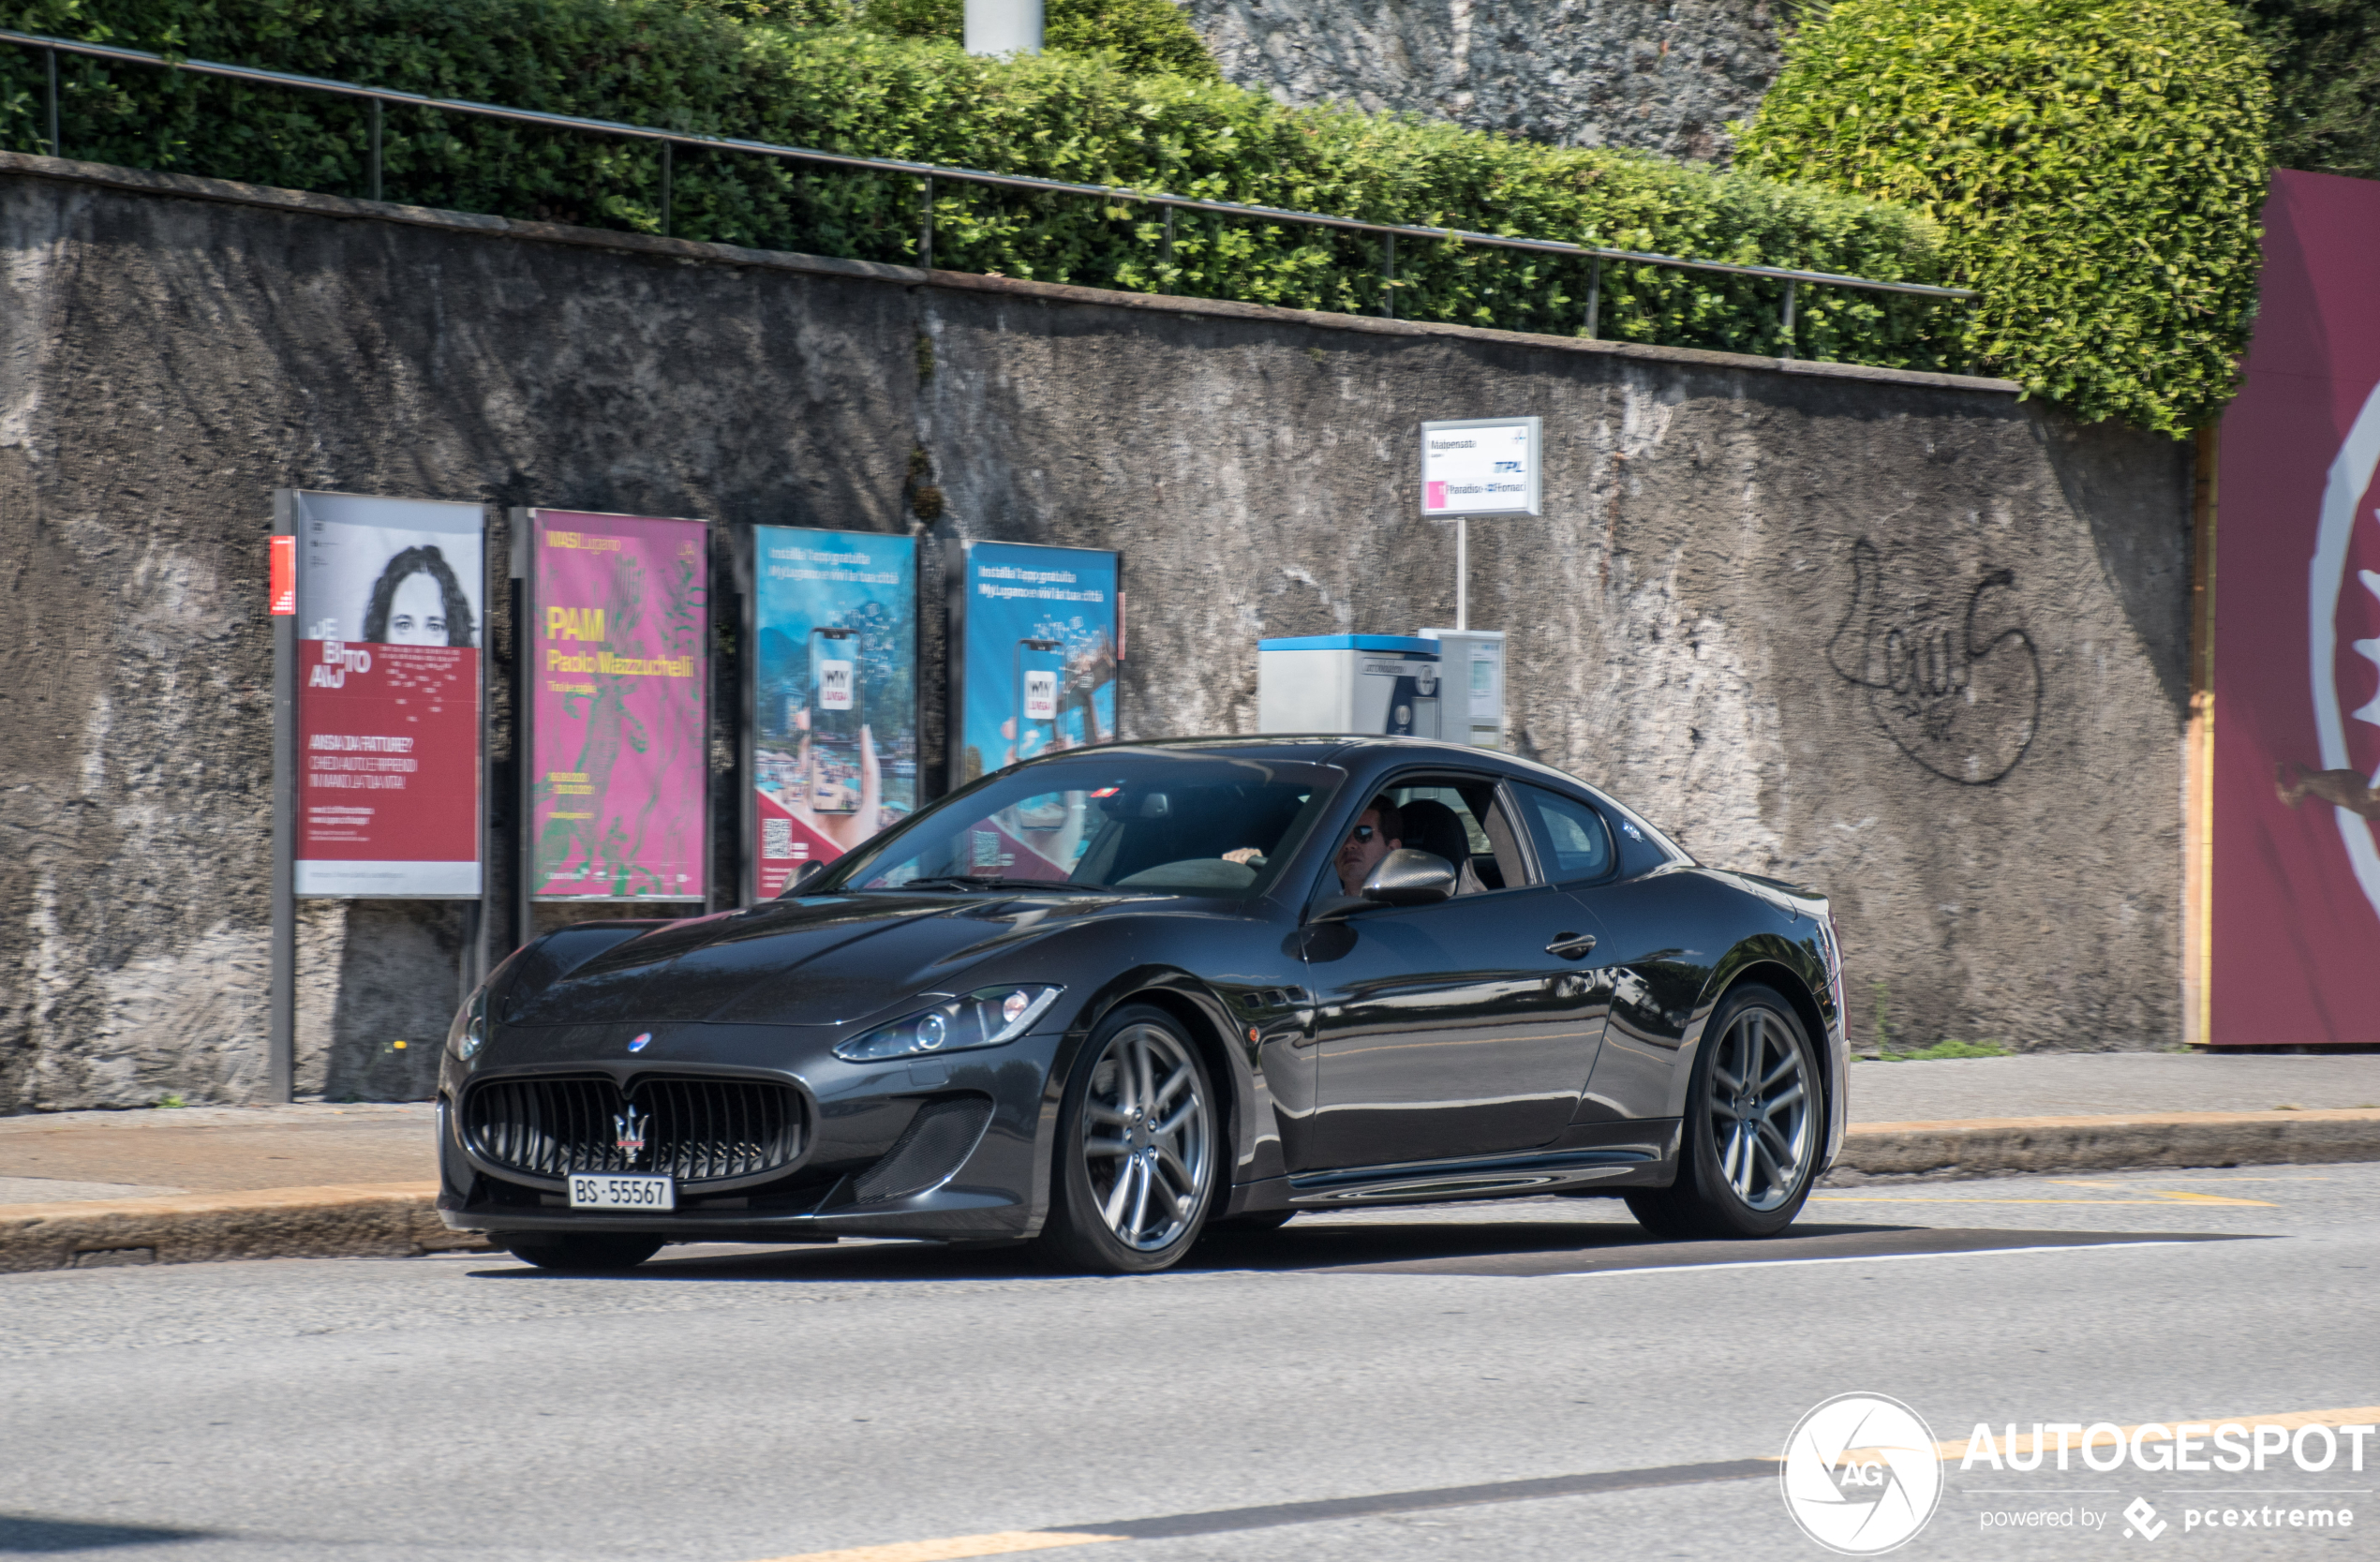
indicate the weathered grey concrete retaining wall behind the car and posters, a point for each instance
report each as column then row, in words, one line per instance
column 1900, row 637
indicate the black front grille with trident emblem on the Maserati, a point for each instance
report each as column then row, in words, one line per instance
column 694, row 1130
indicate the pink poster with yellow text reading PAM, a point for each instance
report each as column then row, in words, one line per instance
column 618, row 675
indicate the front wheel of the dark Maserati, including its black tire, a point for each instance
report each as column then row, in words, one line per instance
column 1136, row 1149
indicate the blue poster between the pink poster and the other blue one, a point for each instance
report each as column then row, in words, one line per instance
column 834, row 694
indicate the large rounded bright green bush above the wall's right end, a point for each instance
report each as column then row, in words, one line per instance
column 2096, row 168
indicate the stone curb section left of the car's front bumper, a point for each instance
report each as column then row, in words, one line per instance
column 394, row 1220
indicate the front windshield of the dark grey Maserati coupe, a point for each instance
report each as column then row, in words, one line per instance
column 1106, row 820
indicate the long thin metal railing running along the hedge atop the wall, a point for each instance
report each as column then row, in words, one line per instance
column 1391, row 232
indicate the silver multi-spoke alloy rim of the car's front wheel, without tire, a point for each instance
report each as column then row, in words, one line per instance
column 1148, row 1139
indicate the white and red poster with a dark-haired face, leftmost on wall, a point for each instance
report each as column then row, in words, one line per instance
column 389, row 696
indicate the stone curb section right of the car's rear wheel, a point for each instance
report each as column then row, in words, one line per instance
column 1941, row 1151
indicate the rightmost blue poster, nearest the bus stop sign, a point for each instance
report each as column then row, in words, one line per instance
column 1039, row 632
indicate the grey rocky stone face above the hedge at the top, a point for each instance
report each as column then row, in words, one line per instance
column 1648, row 75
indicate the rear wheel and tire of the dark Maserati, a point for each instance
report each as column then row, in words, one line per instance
column 1753, row 1130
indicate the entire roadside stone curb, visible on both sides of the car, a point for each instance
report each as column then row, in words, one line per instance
column 401, row 1220
